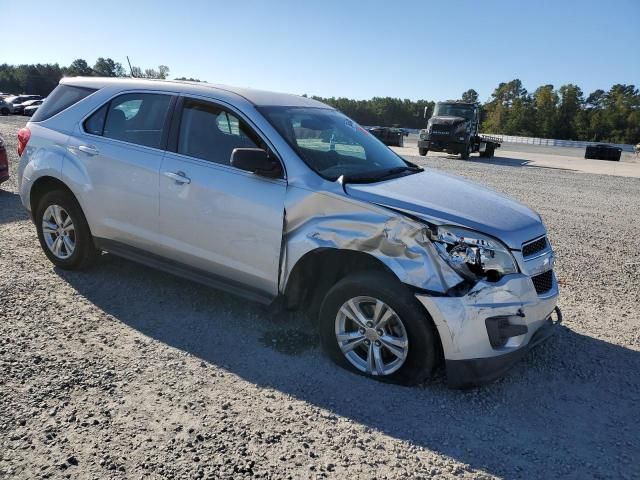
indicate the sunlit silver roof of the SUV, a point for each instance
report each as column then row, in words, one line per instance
column 256, row 97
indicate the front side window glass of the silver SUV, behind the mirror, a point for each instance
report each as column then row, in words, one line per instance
column 211, row 133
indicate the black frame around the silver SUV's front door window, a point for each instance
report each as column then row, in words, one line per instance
column 174, row 131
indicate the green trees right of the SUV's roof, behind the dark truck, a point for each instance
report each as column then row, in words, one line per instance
column 564, row 113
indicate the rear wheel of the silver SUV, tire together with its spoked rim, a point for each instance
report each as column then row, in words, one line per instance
column 83, row 253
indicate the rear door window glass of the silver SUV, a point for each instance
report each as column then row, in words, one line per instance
column 133, row 117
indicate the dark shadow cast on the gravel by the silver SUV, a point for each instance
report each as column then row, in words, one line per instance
column 570, row 408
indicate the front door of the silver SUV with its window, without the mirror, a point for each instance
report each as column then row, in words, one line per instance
column 214, row 217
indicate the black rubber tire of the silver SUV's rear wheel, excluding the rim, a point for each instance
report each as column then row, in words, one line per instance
column 84, row 249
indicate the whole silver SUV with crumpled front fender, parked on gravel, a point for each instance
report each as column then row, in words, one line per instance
column 281, row 198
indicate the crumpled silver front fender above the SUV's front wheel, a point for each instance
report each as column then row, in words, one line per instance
column 316, row 220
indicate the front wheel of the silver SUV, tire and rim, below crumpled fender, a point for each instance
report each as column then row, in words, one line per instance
column 362, row 290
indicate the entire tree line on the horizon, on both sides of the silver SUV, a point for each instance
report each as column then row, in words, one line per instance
column 562, row 113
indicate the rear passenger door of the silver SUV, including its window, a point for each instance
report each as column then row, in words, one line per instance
column 121, row 146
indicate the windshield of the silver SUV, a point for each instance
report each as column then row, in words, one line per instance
column 334, row 145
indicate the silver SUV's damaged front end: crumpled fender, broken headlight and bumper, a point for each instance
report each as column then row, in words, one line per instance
column 477, row 291
